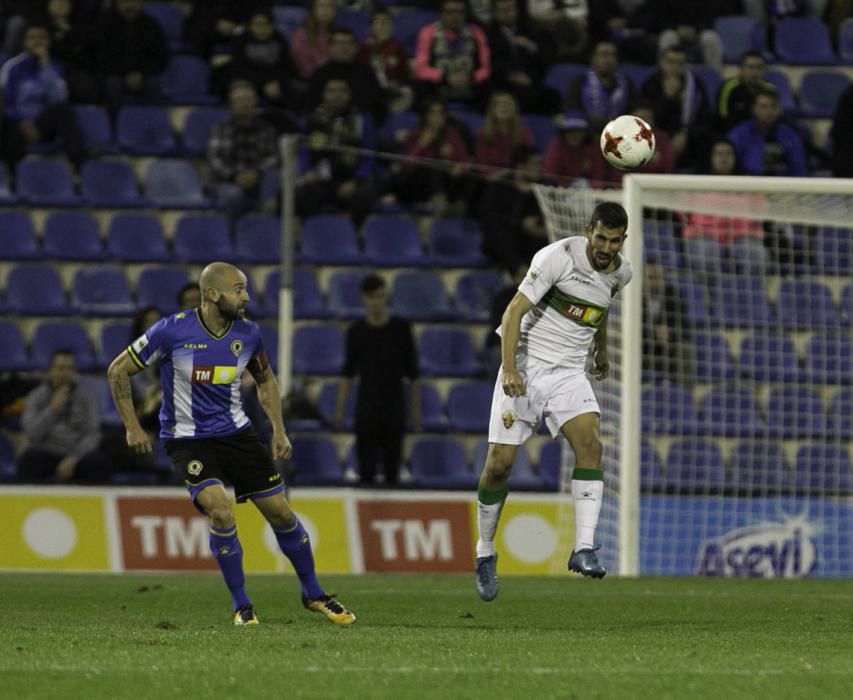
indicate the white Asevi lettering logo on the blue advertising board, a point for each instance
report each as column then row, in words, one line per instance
column 766, row 550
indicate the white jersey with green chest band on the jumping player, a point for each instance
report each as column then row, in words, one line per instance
column 570, row 300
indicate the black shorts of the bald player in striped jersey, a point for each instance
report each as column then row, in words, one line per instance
column 240, row 460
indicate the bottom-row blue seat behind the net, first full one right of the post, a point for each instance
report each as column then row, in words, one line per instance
column 695, row 466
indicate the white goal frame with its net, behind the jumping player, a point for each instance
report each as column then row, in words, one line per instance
column 727, row 415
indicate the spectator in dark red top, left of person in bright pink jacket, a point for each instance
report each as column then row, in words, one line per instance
column 389, row 60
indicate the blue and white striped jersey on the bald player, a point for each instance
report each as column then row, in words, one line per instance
column 200, row 373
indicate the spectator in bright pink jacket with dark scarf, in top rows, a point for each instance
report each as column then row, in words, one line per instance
column 452, row 57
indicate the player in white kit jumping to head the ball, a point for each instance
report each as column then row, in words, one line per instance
column 560, row 308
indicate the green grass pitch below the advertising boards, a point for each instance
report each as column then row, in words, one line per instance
column 170, row 636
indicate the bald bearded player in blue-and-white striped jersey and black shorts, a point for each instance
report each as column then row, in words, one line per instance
column 202, row 355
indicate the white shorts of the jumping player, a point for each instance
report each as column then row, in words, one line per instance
column 557, row 393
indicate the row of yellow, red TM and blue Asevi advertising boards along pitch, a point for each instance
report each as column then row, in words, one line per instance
column 355, row 531
